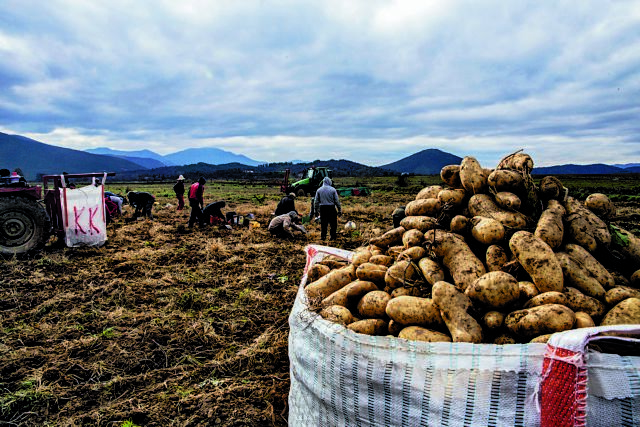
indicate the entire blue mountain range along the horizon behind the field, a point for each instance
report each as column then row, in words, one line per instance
column 35, row 158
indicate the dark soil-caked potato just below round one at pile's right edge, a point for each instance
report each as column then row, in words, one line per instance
column 584, row 227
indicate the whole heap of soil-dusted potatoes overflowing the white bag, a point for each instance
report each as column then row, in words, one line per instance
column 487, row 257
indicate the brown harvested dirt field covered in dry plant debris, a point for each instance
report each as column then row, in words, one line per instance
column 165, row 325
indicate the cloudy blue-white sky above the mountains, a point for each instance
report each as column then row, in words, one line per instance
column 366, row 80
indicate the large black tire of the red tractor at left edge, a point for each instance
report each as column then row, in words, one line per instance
column 24, row 225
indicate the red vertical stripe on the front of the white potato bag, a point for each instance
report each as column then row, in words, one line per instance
column 563, row 390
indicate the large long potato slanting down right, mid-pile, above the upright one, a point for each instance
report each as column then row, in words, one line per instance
column 462, row 263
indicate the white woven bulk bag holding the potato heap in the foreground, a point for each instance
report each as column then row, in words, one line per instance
column 340, row 378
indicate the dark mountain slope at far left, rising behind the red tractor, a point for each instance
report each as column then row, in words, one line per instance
column 34, row 158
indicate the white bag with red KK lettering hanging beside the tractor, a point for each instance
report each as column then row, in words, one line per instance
column 85, row 222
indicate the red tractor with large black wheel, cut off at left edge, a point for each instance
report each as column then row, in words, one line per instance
column 26, row 219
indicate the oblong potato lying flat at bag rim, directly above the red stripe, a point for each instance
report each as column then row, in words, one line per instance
column 540, row 320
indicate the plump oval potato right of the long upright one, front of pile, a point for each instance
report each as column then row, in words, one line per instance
column 495, row 289
